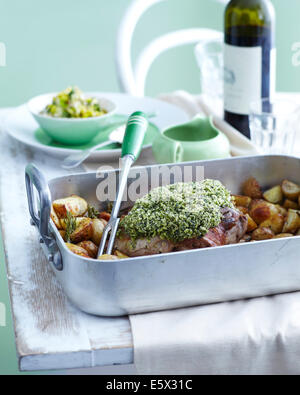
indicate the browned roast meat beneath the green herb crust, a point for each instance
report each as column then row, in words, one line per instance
column 231, row 230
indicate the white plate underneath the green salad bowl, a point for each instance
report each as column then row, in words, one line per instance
column 20, row 124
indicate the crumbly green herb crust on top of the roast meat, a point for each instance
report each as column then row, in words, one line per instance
column 177, row 212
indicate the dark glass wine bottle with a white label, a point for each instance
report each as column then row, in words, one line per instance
column 249, row 58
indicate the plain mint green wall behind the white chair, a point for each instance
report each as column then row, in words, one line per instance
column 51, row 44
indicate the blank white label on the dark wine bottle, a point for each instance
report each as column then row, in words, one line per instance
column 243, row 77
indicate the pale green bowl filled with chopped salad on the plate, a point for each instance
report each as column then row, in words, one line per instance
column 67, row 131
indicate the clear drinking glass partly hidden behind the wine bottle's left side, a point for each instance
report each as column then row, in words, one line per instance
column 209, row 56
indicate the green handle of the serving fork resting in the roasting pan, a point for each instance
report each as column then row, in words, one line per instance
column 136, row 129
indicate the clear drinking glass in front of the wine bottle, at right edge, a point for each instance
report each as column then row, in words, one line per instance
column 274, row 125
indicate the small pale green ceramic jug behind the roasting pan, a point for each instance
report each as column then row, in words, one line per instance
column 195, row 140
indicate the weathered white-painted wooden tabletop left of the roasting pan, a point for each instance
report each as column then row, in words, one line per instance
column 50, row 332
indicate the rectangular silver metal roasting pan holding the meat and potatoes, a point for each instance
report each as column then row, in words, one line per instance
column 176, row 280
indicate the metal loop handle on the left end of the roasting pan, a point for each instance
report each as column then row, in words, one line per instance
column 41, row 219
